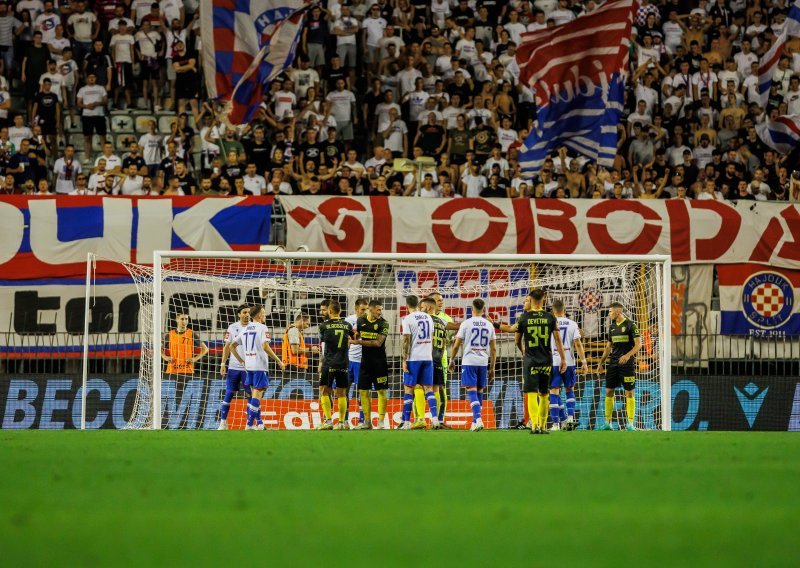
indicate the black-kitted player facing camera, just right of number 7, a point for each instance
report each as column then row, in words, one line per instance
column 372, row 332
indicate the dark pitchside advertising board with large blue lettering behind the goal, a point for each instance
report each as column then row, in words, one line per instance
column 708, row 403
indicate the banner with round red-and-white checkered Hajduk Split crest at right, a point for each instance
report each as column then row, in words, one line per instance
column 758, row 300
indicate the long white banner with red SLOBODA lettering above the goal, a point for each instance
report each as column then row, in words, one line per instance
column 690, row 231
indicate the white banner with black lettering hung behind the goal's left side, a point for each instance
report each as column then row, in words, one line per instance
column 46, row 316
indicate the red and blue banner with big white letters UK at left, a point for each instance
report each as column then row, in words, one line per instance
column 50, row 237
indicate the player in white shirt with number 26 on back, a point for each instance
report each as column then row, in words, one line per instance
column 480, row 353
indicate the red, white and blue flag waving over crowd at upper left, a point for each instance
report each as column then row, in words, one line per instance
column 246, row 44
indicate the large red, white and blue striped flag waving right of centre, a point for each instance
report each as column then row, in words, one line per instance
column 577, row 72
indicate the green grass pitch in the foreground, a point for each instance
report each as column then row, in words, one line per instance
column 398, row 498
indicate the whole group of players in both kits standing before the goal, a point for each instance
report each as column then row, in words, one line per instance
column 354, row 352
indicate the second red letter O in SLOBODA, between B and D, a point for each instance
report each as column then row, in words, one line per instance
column 643, row 243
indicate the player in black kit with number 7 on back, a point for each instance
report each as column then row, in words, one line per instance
column 335, row 334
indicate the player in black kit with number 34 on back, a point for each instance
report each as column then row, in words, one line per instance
column 534, row 332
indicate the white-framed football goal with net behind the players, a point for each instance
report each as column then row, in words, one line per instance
column 210, row 287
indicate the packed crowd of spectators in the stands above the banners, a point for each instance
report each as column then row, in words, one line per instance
column 107, row 97
